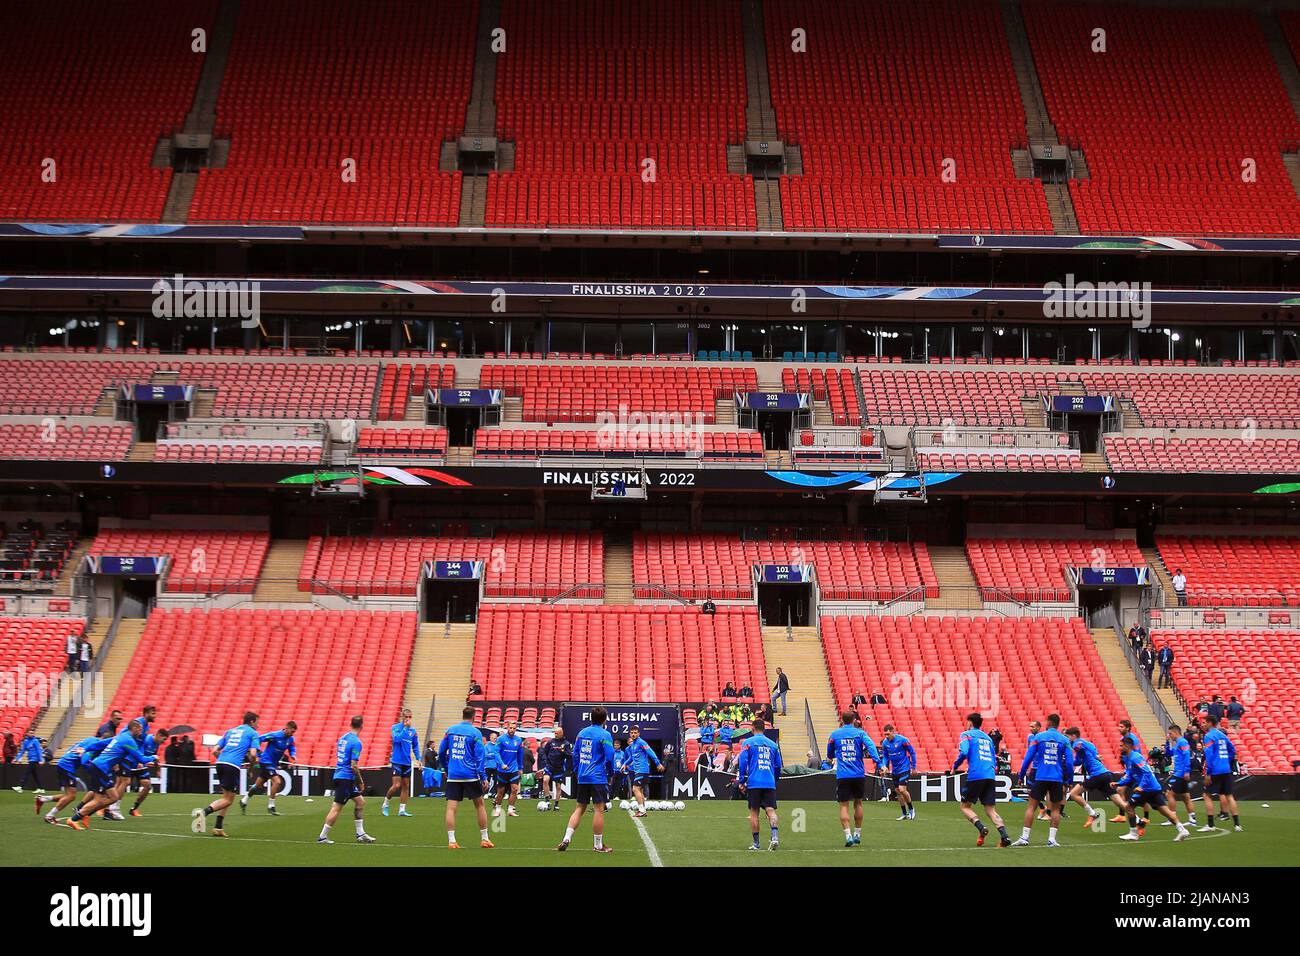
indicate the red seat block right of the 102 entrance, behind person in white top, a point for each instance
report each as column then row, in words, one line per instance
column 1236, row 572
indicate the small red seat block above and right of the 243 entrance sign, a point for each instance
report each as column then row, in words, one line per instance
column 202, row 561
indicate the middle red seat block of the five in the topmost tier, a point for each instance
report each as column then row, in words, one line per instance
column 593, row 89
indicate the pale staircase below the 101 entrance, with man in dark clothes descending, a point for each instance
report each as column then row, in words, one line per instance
column 799, row 654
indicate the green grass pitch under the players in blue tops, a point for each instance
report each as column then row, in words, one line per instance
column 705, row 834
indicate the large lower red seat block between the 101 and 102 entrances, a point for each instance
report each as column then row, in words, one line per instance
column 1013, row 671
